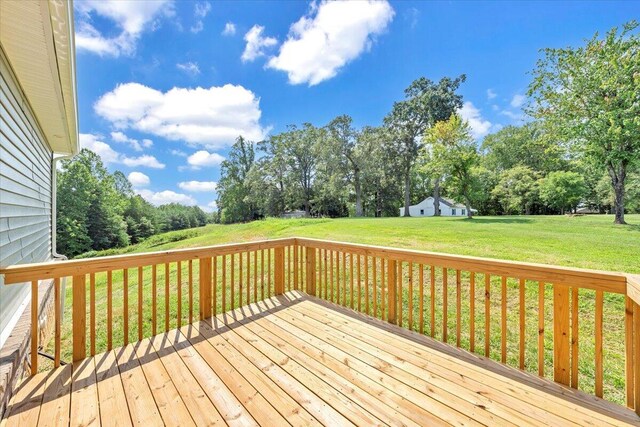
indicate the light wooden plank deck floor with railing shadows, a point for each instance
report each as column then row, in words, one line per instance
column 298, row 360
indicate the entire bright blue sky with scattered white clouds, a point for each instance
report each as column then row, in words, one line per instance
column 164, row 87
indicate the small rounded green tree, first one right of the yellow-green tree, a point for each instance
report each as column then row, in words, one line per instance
column 517, row 190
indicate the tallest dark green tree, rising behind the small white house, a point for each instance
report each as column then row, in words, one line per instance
column 426, row 103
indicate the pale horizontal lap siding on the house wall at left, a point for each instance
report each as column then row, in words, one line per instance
column 25, row 191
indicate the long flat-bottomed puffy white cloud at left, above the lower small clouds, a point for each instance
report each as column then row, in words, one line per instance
column 212, row 118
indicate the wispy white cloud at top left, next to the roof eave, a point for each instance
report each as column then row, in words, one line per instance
column 131, row 18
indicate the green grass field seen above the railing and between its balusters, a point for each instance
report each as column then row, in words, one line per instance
column 587, row 242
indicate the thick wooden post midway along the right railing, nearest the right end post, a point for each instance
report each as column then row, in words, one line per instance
column 561, row 356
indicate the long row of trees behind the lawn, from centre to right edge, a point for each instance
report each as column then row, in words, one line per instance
column 581, row 147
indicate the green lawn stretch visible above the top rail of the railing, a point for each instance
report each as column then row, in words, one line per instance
column 587, row 241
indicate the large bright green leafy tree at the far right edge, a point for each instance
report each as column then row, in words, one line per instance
column 589, row 96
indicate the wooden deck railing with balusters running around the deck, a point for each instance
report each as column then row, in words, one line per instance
column 564, row 323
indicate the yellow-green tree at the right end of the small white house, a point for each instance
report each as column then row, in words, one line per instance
column 454, row 150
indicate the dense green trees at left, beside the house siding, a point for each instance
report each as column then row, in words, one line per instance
column 98, row 210
